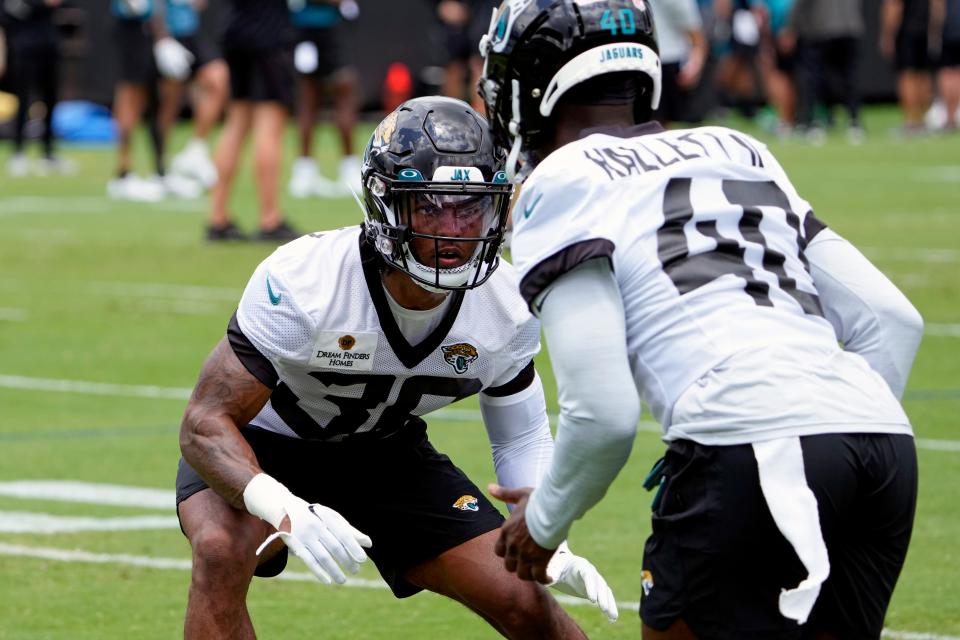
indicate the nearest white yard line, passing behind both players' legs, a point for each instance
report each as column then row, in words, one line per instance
column 148, row 562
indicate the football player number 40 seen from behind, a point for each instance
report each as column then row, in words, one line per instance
column 682, row 267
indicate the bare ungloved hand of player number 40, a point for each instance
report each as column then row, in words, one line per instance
column 520, row 552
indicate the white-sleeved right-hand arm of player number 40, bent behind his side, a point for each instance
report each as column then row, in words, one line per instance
column 870, row 316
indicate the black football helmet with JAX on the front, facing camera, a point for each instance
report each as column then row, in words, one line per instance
column 434, row 155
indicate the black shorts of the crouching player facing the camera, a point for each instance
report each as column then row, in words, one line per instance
column 400, row 491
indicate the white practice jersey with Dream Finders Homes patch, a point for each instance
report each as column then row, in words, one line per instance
column 314, row 323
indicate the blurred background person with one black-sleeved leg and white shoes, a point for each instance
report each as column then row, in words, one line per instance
column 136, row 85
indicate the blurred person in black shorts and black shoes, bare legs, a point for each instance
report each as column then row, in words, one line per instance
column 256, row 45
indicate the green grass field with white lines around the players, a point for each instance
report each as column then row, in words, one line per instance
column 107, row 310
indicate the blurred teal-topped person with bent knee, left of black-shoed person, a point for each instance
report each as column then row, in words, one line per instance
column 207, row 76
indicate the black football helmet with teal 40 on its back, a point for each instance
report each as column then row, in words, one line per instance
column 537, row 50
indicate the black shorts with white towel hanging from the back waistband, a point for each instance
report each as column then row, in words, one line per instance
column 717, row 560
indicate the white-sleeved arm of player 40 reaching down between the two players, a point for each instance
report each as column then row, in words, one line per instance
column 583, row 321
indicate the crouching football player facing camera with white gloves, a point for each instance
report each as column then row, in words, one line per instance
column 306, row 423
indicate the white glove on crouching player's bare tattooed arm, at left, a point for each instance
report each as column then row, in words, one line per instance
column 318, row 535
